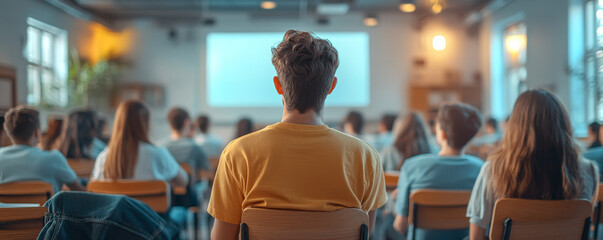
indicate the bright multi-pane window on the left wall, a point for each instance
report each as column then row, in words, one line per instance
column 46, row 54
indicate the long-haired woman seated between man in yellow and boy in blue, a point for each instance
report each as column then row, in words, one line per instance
column 411, row 139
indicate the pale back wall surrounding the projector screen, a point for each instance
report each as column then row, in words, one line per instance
column 180, row 65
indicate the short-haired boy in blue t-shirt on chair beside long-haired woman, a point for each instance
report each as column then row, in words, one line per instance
column 456, row 125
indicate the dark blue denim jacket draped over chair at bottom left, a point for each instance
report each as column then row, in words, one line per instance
column 81, row 215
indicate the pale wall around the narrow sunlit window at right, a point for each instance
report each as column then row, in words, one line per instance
column 547, row 48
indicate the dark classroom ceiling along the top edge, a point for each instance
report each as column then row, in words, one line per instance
column 195, row 9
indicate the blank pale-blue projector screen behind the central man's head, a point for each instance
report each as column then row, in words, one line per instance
column 240, row 70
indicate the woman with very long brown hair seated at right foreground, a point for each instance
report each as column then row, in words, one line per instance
column 537, row 159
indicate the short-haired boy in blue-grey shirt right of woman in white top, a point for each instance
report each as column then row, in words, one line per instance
column 181, row 146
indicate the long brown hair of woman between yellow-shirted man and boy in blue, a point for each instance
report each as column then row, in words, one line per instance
column 411, row 137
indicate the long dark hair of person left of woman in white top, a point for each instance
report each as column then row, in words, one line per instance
column 77, row 134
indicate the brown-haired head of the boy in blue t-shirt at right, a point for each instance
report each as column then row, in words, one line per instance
column 460, row 122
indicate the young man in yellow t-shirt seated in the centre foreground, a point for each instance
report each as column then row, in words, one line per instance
column 299, row 163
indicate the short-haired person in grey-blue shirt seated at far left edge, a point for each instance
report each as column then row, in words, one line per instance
column 24, row 161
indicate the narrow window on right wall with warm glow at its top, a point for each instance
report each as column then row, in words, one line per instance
column 515, row 62
